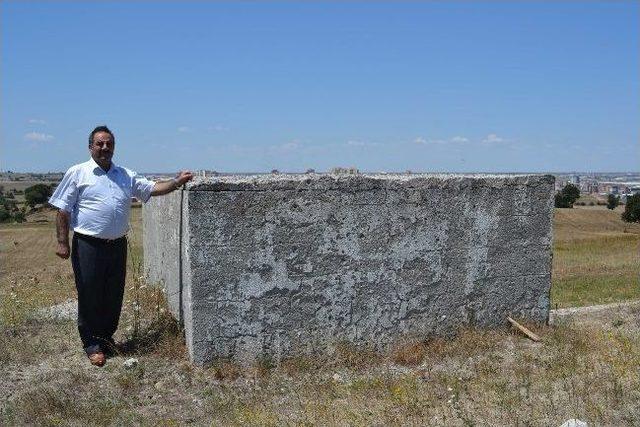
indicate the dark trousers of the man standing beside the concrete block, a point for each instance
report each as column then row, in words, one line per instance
column 100, row 268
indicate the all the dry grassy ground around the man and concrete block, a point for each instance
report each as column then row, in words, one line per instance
column 585, row 367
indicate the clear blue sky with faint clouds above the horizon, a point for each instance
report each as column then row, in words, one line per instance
column 424, row 86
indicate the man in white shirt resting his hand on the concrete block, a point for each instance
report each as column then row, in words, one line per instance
column 95, row 199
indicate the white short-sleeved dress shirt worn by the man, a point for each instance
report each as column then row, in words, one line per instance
column 99, row 202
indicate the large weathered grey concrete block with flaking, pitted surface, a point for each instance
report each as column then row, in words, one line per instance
column 279, row 265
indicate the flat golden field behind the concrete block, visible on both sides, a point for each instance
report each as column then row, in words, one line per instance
column 596, row 258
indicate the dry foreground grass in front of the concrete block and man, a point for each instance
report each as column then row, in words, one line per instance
column 584, row 370
